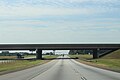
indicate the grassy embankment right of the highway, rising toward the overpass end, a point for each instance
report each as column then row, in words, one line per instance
column 110, row 61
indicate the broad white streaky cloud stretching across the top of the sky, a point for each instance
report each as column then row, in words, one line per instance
column 35, row 8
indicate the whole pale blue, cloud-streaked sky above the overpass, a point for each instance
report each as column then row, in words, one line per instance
column 59, row 21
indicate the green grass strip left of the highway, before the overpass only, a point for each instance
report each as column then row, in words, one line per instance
column 19, row 64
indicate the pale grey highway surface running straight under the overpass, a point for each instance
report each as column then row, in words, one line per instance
column 62, row 69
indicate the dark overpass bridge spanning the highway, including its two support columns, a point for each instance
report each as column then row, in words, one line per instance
column 40, row 47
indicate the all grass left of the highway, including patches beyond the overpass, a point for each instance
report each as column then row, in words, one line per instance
column 6, row 67
